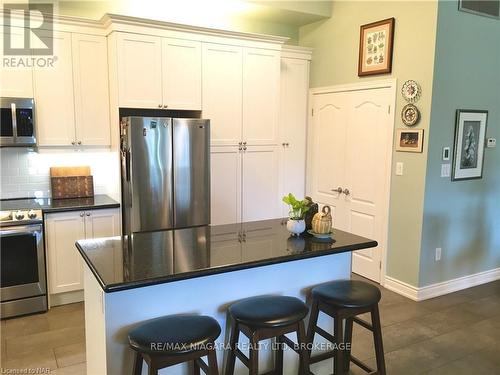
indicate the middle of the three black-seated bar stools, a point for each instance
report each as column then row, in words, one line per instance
column 261, row 318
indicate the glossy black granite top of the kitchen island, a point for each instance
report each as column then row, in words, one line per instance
column 142, row 259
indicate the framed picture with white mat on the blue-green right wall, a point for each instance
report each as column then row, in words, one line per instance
column 470, row 134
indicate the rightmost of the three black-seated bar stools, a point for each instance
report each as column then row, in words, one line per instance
column 344, row 300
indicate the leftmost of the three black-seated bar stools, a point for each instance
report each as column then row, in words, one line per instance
column 175, row 339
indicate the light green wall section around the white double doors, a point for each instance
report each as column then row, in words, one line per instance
column 335, row 61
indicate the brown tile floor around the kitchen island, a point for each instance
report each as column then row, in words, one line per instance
column 456, row 334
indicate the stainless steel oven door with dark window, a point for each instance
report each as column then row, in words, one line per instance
column 22, row 262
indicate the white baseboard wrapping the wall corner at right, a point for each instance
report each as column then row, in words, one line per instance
column 439, row 289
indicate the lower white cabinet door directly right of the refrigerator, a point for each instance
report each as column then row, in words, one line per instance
column 225, row 188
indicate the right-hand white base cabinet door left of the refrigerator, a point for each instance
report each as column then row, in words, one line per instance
column 102, row 223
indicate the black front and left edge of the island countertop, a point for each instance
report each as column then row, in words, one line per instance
column 219, row 270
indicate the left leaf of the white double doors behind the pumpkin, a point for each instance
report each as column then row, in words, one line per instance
column 328, row 152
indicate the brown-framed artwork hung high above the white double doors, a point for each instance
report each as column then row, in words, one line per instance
column 375, row 47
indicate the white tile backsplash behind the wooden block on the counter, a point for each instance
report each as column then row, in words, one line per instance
column 25, row 173
